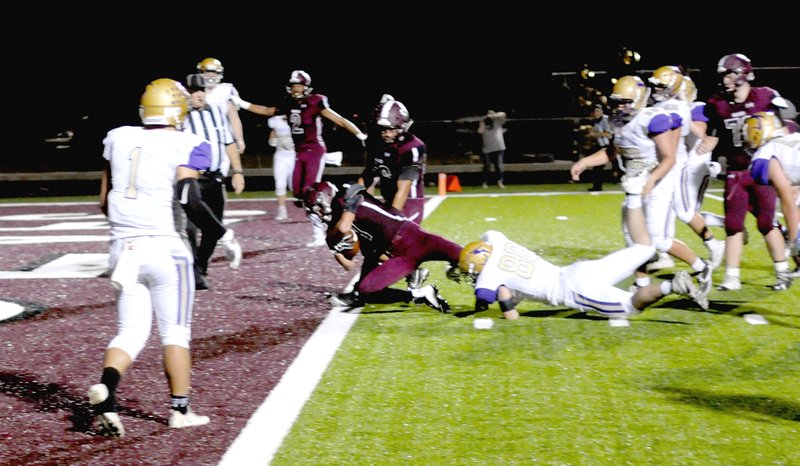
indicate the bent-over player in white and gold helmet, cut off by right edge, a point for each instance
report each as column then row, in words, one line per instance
column 776, row 161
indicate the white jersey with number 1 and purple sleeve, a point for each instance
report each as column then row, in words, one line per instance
column 143, row 165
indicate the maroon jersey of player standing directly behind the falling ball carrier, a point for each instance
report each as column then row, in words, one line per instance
column 402, row 160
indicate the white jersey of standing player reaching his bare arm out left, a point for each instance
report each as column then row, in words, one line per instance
column 634, row 143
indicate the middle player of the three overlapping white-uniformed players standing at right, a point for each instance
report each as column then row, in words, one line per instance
column 668, row 82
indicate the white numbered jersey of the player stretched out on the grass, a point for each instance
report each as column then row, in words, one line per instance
column 520, row 269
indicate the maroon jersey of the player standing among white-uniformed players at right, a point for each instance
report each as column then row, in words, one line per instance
column 725, row 120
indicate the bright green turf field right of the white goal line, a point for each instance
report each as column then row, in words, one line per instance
column 679, row 386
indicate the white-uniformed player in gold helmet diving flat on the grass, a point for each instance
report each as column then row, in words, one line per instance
column 507, row 272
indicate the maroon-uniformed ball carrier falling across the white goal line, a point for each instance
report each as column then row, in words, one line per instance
column 392, row 245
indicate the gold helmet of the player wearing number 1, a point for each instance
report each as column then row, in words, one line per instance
column 165, row 102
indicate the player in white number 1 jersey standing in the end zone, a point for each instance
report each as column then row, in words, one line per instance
column 152, row 267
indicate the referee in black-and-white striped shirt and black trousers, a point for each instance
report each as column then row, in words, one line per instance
column 208, row 122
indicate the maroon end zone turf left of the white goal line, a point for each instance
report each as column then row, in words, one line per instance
column 247, row 330
